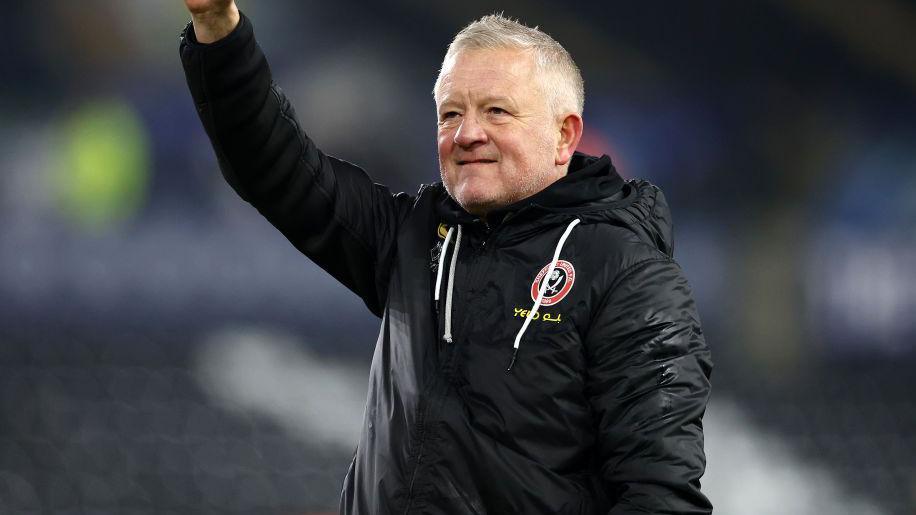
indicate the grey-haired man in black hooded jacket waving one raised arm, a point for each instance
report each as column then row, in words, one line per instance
column 488, row 393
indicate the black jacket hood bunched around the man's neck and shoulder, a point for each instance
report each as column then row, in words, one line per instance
column 592, row 191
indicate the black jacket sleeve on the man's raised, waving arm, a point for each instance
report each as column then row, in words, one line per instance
column 327, row 208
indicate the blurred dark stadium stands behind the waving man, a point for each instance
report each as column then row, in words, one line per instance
column 164, row 350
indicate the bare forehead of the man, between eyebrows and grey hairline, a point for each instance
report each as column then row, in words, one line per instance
column 500, row 71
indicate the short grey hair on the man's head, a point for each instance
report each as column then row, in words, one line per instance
column 560, row 77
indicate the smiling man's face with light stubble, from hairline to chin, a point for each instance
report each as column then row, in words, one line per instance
column 497, row 138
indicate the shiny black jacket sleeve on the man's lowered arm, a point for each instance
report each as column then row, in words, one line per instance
column 648, row 384
